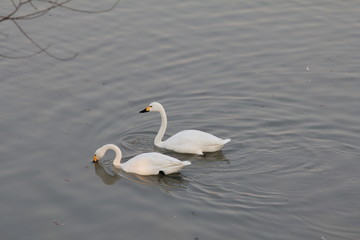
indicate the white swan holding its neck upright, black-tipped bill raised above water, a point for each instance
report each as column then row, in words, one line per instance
column 187, row 141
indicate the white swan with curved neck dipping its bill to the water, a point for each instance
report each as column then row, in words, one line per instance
column 152, row 163
